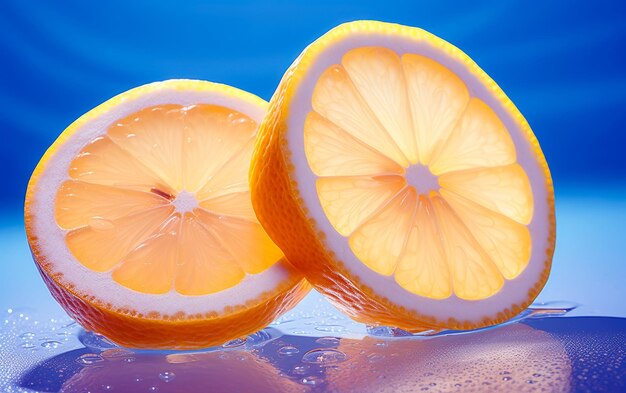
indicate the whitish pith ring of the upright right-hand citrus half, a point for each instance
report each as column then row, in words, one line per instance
column 513, row 292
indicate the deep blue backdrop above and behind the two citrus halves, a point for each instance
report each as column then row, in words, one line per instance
column 562, row 63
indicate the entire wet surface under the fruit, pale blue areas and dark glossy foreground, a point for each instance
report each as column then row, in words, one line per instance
column 316, row 348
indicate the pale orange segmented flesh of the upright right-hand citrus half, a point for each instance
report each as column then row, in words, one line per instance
column 419, row 175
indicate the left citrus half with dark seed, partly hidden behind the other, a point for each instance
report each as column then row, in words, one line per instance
column 140, row 220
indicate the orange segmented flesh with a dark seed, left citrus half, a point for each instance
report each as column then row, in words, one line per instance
column 161, row 202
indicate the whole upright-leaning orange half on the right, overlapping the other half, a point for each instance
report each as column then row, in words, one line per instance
column 404, row 184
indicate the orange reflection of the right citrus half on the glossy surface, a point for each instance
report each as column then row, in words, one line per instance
column 515, row 357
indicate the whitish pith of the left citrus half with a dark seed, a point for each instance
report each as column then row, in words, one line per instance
column 51, row 238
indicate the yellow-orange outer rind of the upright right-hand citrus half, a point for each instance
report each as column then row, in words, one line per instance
column 281, row 210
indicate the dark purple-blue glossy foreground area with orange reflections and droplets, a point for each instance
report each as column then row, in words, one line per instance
column 546, row 353
